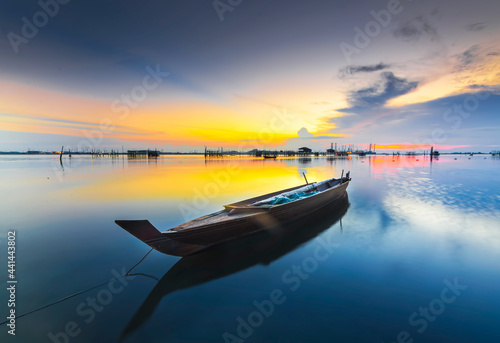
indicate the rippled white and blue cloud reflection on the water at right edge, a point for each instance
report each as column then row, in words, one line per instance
column 454, row 222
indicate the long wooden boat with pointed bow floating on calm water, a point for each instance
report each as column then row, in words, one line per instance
column 240, row 218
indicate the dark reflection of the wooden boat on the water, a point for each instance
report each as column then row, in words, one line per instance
column 222, row 260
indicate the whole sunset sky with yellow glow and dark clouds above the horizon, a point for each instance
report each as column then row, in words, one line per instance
column 179, row 75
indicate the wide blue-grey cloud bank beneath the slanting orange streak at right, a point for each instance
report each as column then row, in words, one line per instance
column 415, row 123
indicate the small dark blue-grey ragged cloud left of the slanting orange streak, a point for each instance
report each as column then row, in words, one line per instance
column 389, row 86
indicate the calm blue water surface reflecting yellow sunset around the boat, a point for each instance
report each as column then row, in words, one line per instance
column 414, row 256
